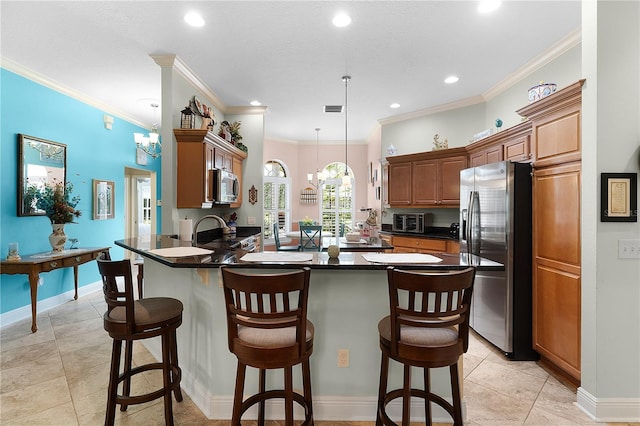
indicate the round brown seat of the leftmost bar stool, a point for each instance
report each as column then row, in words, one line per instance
column 148, row 312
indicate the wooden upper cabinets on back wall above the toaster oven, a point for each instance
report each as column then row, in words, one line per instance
column 429, row 179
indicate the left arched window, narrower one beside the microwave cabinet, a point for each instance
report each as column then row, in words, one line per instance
column 277, row 197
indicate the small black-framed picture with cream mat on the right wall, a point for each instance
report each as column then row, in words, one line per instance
column 618, row 197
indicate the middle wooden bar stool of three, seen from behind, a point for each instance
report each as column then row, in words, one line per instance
column 268, row 329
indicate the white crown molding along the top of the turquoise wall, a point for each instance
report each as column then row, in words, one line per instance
column 43, row 80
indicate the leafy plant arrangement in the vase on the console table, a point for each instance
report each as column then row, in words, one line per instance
column 56, row 202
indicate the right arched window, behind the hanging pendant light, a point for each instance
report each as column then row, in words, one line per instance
column 337, row 201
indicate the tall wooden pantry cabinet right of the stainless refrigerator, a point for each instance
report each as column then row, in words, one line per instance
column 555, row 142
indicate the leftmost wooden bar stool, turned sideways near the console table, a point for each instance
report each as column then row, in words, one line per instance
column 127, row 320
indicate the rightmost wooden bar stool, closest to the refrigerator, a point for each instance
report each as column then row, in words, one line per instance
column 428, row 327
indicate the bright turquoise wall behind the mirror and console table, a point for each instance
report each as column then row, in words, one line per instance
column 93, row 152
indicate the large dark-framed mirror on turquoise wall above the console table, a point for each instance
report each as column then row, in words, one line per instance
column 41, row 162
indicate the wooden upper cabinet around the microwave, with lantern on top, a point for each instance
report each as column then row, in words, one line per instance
column 199, row 152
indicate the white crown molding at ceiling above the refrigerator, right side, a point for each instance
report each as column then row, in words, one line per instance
column 570, row 41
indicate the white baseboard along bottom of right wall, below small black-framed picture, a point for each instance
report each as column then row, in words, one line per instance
column 617, row 410
